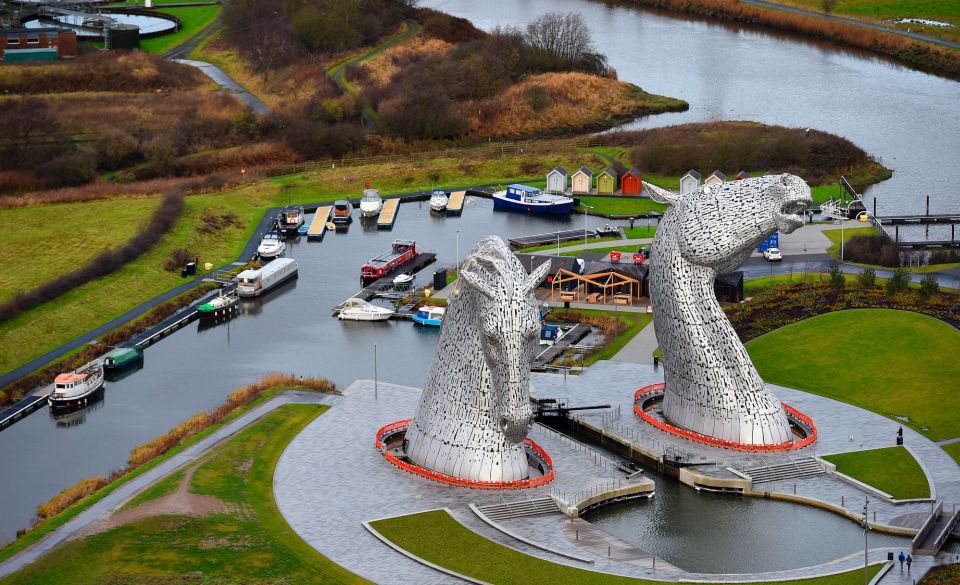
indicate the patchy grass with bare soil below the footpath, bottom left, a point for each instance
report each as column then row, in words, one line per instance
column 249, row 543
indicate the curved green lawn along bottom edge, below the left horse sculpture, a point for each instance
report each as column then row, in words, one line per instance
column 440, row 539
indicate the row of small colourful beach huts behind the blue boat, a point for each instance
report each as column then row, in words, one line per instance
column 609, row 182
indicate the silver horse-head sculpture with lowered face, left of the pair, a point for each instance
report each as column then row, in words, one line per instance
column 475, row 409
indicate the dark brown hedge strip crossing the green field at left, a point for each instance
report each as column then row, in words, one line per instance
column 105, row 263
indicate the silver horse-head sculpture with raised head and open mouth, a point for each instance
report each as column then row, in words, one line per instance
column 711, row 385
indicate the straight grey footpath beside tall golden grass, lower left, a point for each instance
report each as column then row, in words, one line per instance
column 119, row 496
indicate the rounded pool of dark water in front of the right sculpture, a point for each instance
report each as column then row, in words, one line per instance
column 717, row 533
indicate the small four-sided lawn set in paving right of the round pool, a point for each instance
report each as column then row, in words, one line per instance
column 892, row 470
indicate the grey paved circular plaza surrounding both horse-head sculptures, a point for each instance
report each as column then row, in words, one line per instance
column 331, row 478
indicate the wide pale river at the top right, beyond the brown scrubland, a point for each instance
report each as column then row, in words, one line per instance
column 909, row 120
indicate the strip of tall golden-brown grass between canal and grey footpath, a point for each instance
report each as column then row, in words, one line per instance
column 196, row 424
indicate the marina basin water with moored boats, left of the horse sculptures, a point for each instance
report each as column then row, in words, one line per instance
column 288, row 330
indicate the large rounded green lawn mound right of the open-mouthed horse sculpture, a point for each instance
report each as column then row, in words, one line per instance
column 890, row 362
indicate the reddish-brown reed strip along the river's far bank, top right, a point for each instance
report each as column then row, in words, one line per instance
column 916, row 53
